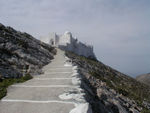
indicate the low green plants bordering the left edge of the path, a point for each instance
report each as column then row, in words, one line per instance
column 7, row 82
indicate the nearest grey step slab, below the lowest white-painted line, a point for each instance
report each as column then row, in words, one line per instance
column 25, row 107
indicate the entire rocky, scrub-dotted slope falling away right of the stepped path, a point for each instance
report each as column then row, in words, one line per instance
column 110, row 91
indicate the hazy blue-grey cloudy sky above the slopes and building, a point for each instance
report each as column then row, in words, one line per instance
column 119, row 30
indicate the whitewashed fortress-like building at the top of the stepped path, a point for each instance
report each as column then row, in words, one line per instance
column 69, row 43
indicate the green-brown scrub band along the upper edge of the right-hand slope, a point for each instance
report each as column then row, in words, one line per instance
column 120, row 82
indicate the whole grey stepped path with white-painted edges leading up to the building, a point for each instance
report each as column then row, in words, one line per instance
column 46, row 93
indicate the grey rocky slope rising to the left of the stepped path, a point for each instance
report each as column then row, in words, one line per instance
column 20, row 53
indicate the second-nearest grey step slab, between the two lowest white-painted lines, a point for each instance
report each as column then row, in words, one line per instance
column 39, row 93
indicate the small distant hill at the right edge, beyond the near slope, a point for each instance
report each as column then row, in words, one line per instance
column 144, row 78
